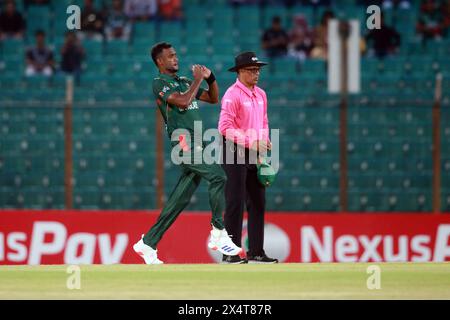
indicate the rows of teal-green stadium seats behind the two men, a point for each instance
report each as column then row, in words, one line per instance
column 389, row 122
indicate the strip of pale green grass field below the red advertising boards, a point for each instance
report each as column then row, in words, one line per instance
column 213, row 281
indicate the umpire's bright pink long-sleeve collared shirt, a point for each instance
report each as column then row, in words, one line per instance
column 243, row 118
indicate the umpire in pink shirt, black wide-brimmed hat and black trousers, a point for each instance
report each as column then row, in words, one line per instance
column 244, row 126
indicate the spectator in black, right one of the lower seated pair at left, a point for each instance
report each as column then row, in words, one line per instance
column 72, row 55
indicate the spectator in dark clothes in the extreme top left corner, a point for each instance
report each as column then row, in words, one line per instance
column 12, row 24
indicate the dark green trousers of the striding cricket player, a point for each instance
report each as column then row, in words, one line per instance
column 188, row 182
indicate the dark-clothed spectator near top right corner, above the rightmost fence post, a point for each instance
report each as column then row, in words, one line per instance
column 431, row 23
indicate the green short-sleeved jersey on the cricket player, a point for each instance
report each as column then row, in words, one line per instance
column 175, row 118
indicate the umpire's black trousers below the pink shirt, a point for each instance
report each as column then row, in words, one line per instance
column 243, row 188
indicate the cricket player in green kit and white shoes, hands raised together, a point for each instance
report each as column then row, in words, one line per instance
column 176, row 99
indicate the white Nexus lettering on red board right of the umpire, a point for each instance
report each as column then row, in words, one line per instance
column 323, row 244
